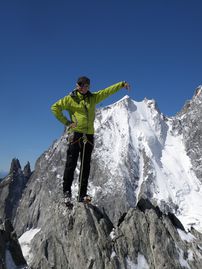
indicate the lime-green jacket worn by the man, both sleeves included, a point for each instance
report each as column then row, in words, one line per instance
column 81, row 108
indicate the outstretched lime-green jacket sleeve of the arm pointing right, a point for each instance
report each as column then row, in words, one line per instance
column 103, row 94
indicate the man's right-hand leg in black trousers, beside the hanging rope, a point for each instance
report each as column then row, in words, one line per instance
column 86, row 152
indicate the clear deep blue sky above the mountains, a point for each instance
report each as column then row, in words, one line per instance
column 156, row 45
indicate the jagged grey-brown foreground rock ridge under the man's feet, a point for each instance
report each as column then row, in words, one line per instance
column 86, row 238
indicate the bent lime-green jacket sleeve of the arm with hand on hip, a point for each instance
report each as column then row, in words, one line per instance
column 58, row 107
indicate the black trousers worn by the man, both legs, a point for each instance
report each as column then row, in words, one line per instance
column 75, row 148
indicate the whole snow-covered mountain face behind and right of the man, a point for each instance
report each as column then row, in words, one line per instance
column 142, row 156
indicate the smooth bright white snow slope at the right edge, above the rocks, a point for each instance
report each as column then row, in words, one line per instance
column 175, row 176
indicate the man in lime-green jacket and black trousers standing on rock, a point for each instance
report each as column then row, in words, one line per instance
column 80, row 104
